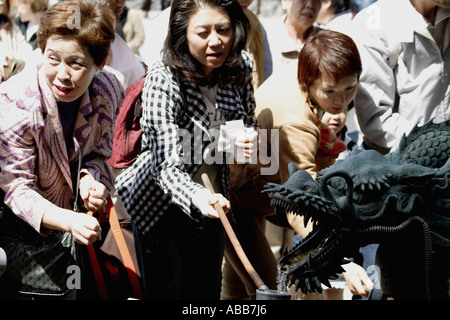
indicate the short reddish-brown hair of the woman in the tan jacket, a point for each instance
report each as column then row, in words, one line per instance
column 328, row 52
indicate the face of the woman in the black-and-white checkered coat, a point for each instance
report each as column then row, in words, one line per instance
column 209, row 35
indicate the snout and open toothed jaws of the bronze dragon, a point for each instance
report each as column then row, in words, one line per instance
column 309, row 264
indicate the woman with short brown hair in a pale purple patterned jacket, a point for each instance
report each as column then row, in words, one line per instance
column 65, row 108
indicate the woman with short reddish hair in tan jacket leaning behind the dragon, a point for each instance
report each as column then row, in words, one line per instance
column 289, row 110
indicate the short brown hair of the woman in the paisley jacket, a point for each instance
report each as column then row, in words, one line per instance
column 95, row 29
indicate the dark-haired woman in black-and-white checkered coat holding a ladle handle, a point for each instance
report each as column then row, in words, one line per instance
column 203, row 81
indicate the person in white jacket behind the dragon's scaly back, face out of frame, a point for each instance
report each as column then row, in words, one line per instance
column 398, row 90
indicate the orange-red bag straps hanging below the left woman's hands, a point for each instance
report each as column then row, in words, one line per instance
column 124, row 253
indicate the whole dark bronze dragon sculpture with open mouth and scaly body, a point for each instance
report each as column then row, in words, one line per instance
column 400, row 200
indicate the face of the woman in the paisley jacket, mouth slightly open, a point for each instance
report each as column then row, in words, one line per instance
column 69, row 68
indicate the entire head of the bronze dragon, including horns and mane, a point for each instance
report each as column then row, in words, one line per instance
column 365, row 189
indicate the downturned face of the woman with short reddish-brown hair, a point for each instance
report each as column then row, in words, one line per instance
column 334, row 97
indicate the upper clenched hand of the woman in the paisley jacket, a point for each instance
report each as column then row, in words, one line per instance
column 92, row 193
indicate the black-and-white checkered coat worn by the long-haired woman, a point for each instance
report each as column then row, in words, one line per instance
column 162, row 174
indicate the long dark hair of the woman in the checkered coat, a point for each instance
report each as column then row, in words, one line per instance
column 176, row 51
